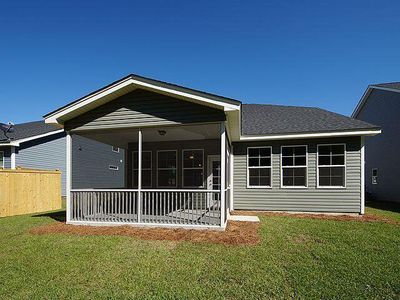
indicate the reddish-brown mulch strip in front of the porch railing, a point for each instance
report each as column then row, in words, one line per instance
column 236, row 233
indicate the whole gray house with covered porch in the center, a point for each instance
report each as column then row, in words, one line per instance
column 192, row 157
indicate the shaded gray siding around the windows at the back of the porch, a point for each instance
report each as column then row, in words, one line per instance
column 210, row 147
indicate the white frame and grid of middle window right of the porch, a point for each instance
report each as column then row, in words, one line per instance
column 295, row 157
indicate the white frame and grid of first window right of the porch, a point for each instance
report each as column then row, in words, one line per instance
column 261, row 159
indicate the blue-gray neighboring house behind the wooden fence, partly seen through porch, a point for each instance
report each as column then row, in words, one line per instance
column 37, row 145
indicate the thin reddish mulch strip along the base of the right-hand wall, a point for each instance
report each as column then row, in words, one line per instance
column 360, row 218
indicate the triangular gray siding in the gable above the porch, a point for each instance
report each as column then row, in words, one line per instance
column 142, row 108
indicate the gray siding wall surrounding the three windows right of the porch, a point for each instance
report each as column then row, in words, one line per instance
column 308, row 199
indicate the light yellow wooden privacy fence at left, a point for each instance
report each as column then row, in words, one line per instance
column 25, row 191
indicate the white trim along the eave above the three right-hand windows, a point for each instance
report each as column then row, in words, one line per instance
column 309, row 135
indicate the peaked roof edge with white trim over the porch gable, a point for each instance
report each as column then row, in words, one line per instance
column 129, row 82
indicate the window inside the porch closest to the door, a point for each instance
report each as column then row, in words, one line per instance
column 193, row 168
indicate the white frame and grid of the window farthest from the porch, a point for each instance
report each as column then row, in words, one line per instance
column 332, row 165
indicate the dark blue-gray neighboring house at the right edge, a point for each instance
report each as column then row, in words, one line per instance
column 380, row 104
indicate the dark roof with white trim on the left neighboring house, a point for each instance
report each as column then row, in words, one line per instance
column 28, row 131
